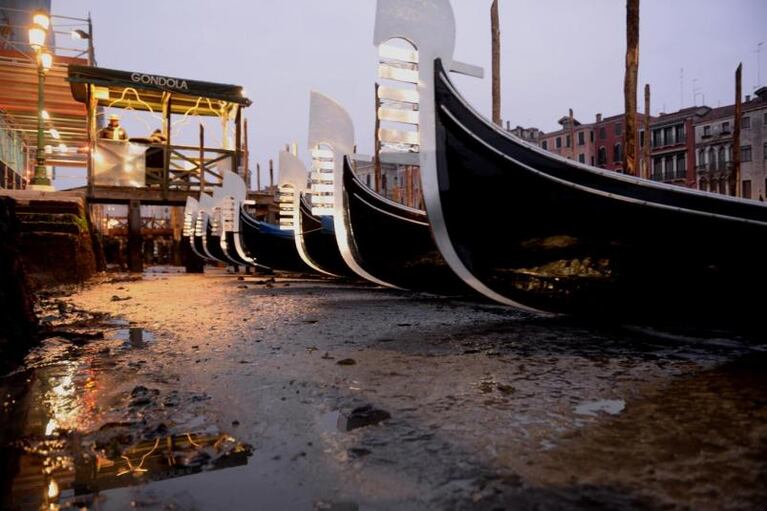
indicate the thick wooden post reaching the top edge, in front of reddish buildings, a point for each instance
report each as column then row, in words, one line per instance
column 630, row 86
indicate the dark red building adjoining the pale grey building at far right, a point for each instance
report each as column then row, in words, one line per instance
column 672, row 152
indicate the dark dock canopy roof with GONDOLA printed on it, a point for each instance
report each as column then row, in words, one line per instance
column 112, row 88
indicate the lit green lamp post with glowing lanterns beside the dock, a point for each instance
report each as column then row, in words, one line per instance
column 38, row 33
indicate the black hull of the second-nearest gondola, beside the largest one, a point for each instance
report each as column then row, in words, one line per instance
column 394, row 241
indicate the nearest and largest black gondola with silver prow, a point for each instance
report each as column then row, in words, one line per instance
column 541, row 232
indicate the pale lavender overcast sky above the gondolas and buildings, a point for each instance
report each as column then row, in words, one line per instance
column 556, row 54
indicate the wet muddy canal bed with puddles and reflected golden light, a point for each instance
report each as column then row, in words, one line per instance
column 296, row 394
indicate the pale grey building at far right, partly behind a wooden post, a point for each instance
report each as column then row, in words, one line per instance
column 713, row 145
